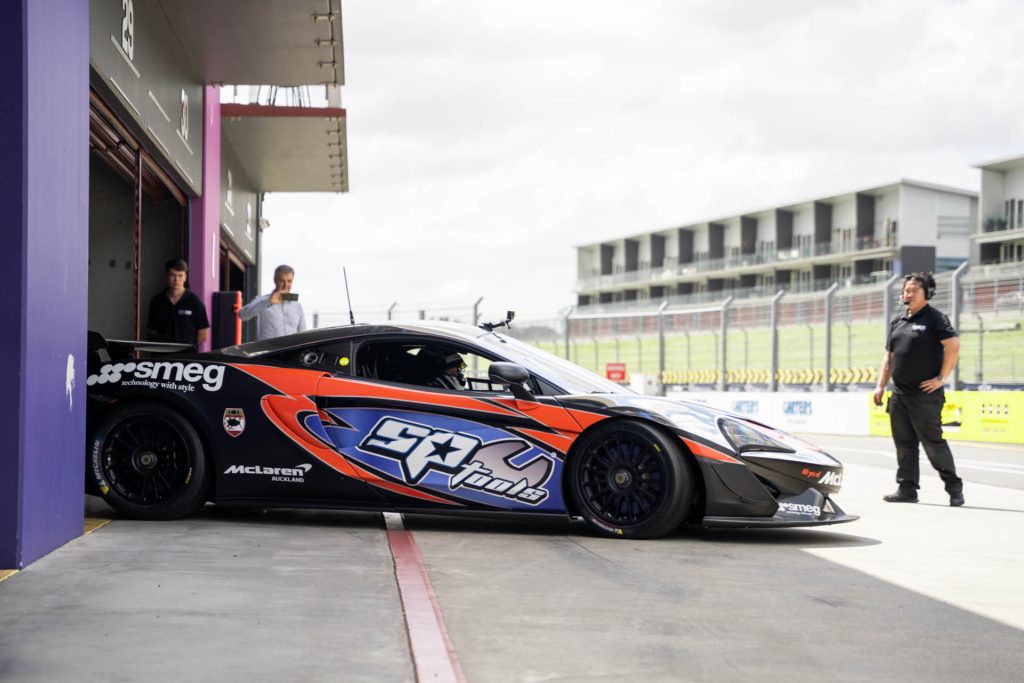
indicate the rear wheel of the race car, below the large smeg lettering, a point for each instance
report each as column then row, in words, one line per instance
column 148, row 462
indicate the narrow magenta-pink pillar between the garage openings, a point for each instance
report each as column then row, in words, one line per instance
column 204, row 258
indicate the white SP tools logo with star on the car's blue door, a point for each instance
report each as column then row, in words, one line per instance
column 467, row 461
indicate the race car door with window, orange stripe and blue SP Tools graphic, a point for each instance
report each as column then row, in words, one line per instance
column 430, row 447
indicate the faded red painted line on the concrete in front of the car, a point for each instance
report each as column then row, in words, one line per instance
column 434, row 656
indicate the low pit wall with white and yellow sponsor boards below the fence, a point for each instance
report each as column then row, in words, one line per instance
column 967, row 416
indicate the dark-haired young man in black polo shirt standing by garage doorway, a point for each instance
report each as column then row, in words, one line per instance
column 177, row 315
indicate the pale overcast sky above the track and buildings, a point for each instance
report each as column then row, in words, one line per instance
column 488, row 140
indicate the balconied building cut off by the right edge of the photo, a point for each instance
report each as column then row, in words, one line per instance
column 999, row 238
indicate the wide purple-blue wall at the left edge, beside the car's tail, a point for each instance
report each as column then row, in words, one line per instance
column 45, row 95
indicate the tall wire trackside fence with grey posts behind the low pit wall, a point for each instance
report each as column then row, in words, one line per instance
column 830, row 340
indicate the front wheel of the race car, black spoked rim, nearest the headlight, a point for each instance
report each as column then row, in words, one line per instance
column 630, row 481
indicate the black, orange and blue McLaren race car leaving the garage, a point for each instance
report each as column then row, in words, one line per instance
column 368, row 417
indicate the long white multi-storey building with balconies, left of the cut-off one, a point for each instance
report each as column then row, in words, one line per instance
column 861, row 237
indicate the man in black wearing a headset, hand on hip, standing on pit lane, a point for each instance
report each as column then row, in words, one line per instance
column 921, row 353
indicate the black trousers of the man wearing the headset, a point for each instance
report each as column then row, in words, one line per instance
column 918, row 419
